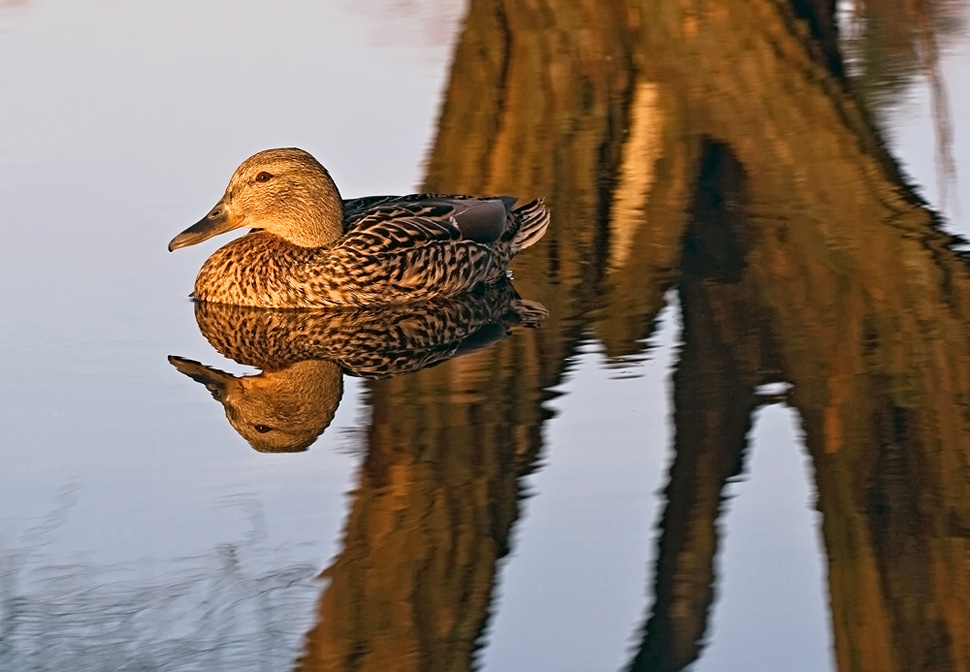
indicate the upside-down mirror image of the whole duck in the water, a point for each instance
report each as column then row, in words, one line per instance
column 303, row 355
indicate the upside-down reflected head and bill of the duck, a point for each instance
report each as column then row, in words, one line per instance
column 280, row 411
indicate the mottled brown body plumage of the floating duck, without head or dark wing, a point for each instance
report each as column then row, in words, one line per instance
column 388, row 255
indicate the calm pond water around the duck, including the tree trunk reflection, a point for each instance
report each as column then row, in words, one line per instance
column 737, row 441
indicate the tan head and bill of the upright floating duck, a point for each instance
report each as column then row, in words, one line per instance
column 283, row 191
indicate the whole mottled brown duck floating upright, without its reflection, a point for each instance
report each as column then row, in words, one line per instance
column 309, row 248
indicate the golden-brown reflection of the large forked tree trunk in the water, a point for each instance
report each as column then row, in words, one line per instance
column 718, row 146
